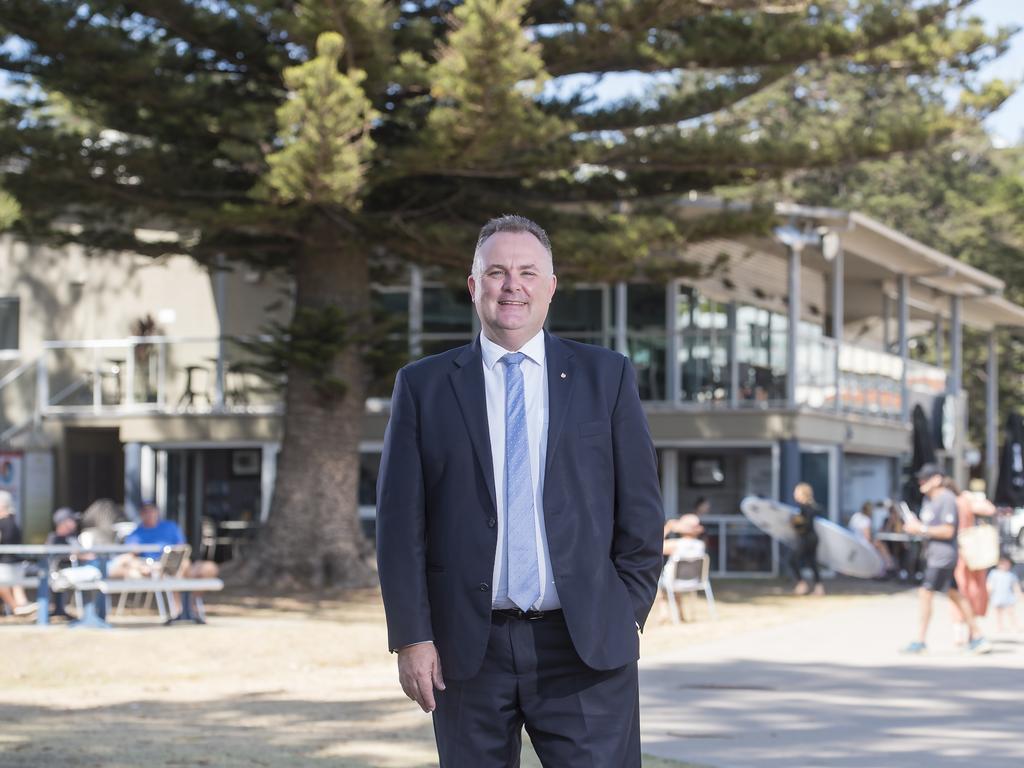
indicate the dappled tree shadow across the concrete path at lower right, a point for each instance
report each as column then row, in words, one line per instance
column 735, row 714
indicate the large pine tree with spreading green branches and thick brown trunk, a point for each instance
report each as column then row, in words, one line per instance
column 324, row 137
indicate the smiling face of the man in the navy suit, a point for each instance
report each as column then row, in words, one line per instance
column 515, row 289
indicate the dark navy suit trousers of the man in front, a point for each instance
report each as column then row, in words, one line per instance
column 576, row 717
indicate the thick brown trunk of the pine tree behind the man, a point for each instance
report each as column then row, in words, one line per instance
column 313, row 537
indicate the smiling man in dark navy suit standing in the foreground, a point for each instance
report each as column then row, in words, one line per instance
column 520, row 529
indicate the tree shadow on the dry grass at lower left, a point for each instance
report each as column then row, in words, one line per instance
column 250, row 731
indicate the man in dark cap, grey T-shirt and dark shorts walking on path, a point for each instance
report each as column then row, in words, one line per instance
column 938, row 526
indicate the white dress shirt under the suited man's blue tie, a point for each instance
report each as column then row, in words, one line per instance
column 535, row 381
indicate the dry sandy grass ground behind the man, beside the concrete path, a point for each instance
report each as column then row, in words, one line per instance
column 272, row 681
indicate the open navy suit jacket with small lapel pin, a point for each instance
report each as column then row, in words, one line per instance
column 437, row 514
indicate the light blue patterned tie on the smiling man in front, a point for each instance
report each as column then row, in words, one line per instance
column 524, row 581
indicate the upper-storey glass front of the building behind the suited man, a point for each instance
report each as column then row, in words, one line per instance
column 687, row 348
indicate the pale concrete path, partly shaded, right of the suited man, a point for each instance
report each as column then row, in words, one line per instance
column 835, row 692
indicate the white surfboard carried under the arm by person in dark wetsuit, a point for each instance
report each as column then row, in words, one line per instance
column 839, row 549
